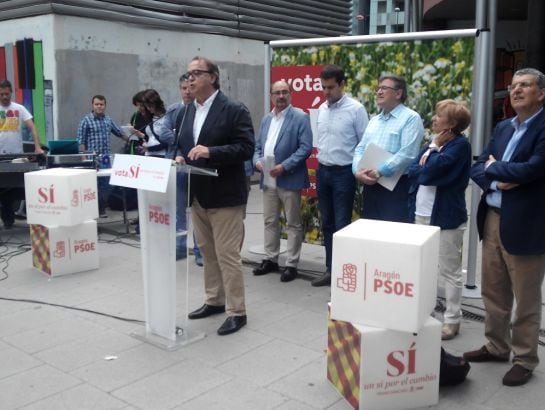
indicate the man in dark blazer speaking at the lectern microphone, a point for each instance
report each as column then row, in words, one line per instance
column 216, row 132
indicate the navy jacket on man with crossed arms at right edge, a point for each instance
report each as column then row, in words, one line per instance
column 522, row 221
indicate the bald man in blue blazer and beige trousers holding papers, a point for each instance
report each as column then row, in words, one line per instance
column 282, row 147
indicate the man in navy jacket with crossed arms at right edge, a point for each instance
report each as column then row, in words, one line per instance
column 511, row 222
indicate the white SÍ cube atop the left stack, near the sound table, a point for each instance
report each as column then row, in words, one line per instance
column 61, row 196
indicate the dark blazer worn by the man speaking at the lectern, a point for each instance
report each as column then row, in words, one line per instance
column 229, row 135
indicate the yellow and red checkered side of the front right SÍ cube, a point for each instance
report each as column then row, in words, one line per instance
column 343, row 359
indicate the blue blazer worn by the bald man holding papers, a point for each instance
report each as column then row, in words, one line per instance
column 293, row 147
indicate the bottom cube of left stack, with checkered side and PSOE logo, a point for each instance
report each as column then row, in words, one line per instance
column 60, row 250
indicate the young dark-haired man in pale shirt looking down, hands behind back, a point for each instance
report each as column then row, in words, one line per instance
column 341, row 124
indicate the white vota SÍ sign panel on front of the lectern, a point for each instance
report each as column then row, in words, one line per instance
column 141, row 172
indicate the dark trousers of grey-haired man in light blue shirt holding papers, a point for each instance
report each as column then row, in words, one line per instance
column 382, row 204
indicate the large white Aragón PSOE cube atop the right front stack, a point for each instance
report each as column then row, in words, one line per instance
column 384, row 274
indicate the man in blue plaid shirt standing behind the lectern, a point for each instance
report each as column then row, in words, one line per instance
column 94, row 135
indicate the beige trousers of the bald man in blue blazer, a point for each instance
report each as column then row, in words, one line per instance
column 273, row 200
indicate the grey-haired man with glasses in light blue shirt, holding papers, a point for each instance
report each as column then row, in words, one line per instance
column 398, row 130
